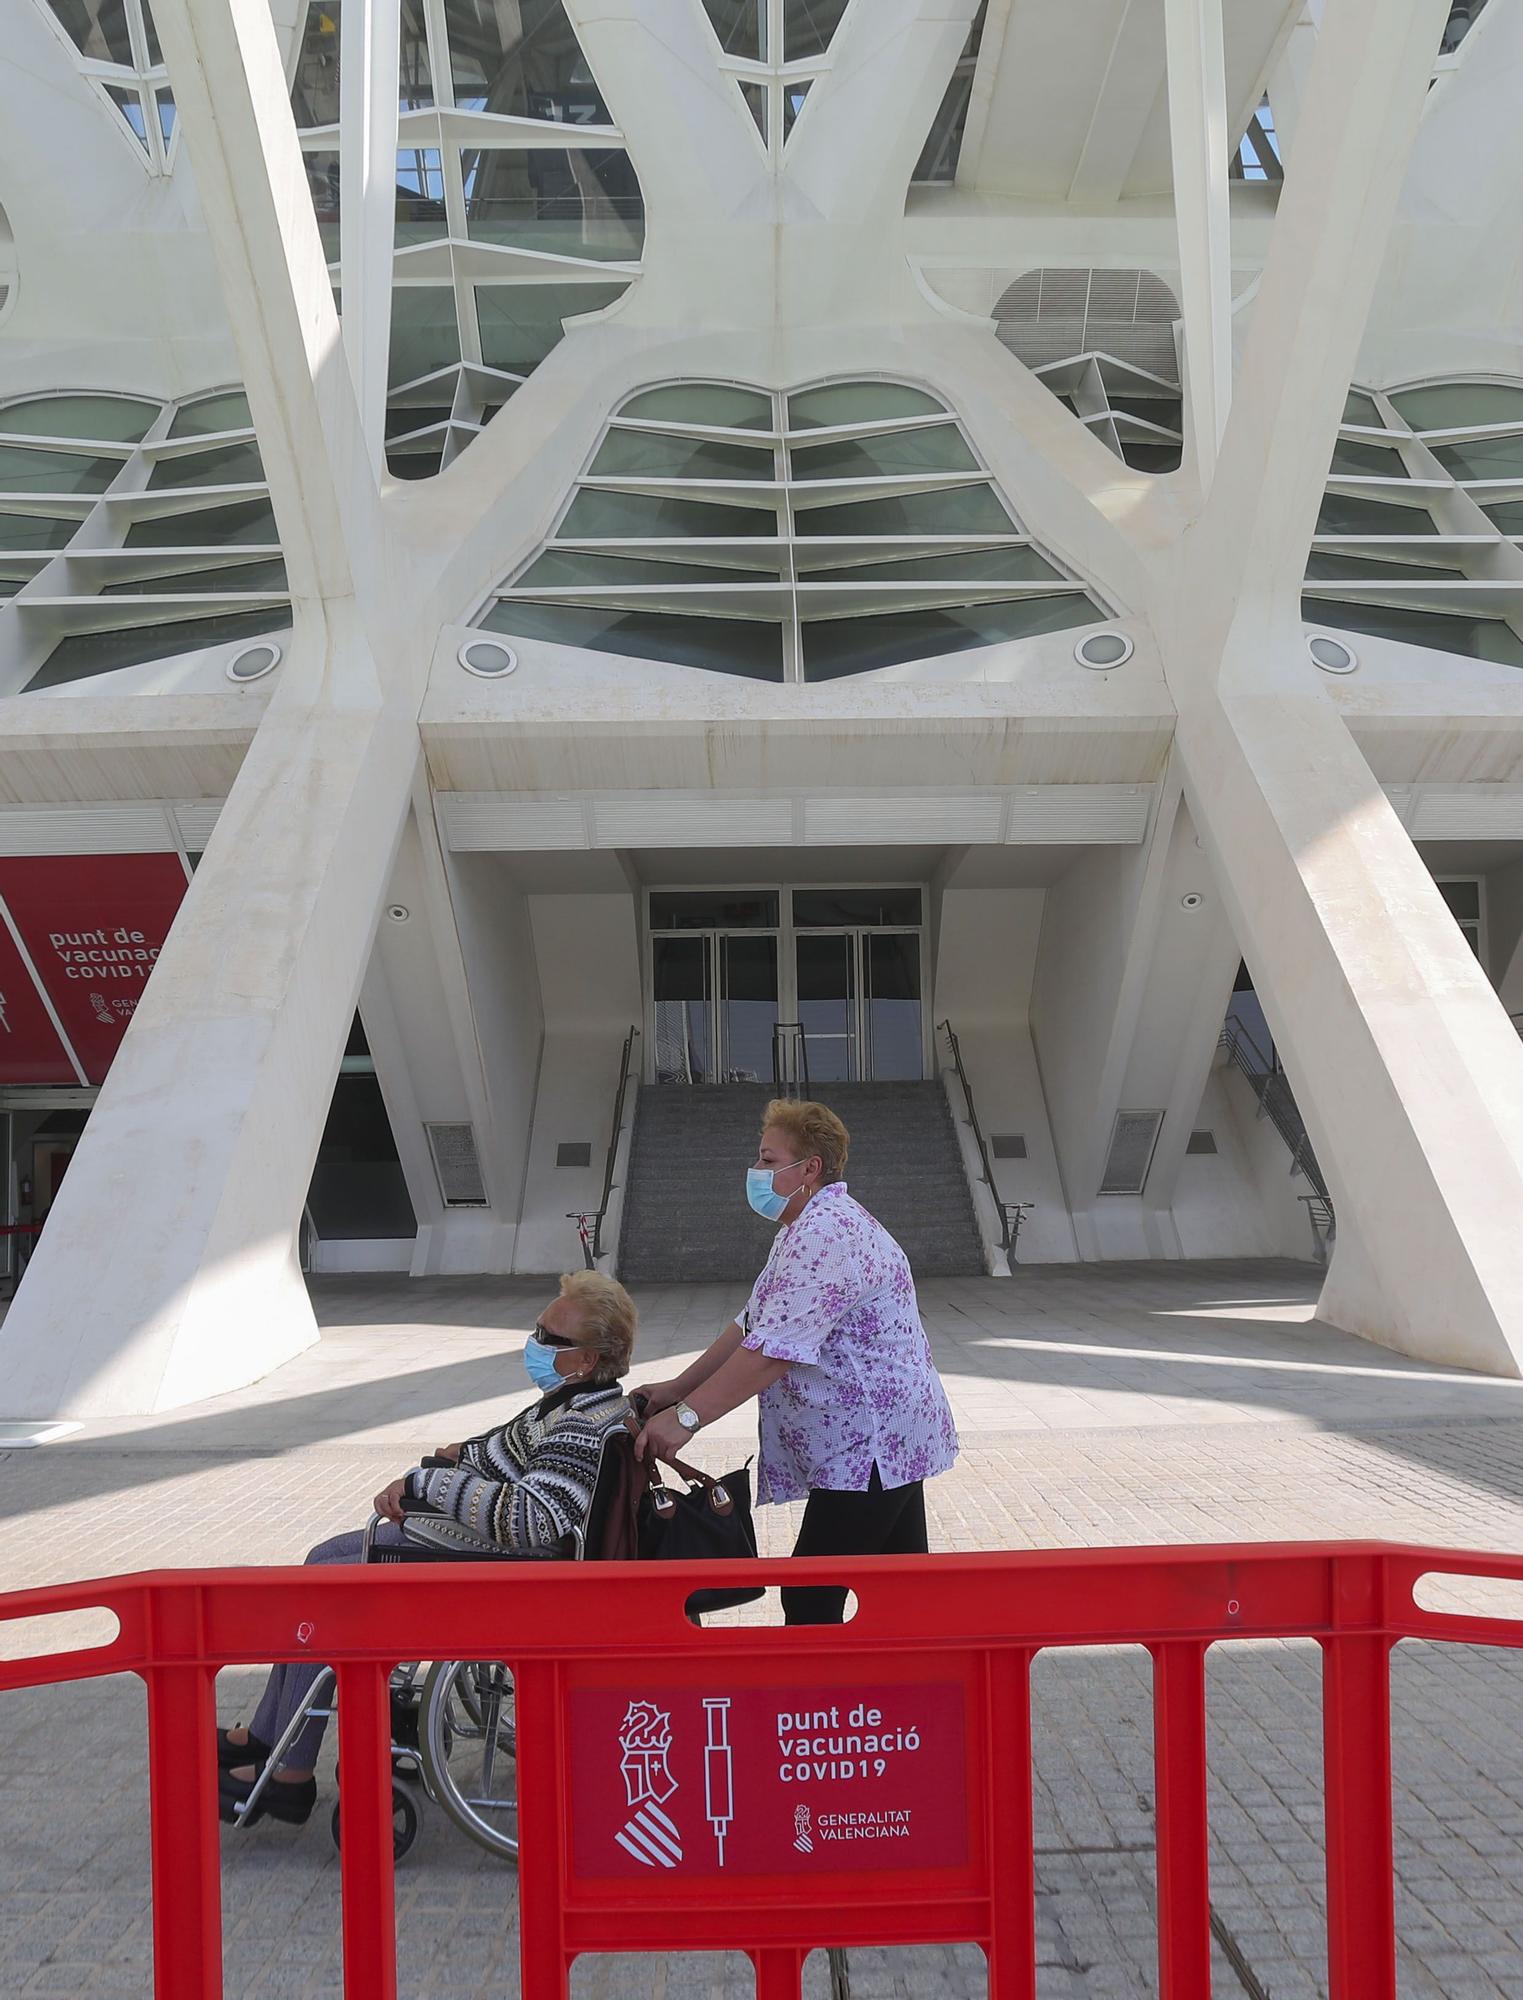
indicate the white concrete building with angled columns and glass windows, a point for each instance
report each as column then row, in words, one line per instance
column 703, row 541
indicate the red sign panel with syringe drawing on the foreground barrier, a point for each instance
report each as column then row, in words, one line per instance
column 768, row 1781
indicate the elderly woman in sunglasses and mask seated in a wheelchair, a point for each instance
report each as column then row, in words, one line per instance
column 523, row 1491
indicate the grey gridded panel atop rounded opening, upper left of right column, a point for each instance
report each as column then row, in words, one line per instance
column 1052, row 315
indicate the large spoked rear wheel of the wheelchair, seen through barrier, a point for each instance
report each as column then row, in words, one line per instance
column 469, row 1745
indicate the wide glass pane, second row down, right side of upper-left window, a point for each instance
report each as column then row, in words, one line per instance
column 569, row 203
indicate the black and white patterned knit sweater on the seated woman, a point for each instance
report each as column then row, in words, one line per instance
column 529, row 1483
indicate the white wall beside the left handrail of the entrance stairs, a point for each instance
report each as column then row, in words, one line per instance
column 589, row 955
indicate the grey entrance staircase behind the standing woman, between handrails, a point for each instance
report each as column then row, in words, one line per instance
column 687, row 1217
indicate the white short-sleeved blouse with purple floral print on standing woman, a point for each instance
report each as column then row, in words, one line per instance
column 836, row 1299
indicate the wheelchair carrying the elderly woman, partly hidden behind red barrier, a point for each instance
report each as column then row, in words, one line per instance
column 455, row 1737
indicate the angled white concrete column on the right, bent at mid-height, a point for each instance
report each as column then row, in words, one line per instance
column 1406, row 1069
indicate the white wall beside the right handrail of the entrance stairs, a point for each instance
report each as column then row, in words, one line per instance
column 984, row 965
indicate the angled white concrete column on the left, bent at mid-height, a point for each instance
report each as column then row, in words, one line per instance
column 203, row 1141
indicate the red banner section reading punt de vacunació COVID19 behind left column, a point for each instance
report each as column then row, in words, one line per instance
column 95, row 927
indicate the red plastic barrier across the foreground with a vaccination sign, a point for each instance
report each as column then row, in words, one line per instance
column 715, row 1789
